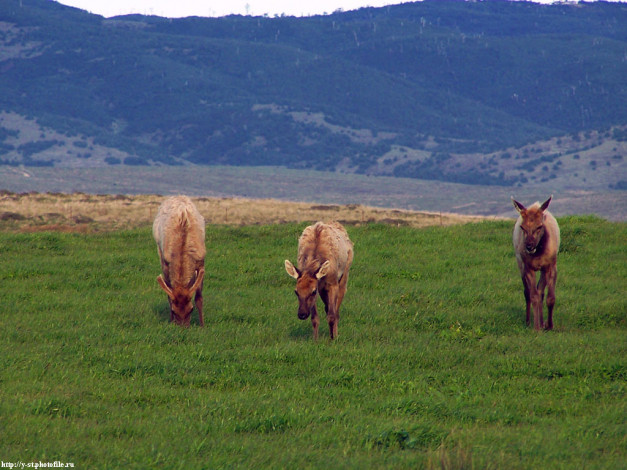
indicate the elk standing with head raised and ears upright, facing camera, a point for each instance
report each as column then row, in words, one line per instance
column 536, row 243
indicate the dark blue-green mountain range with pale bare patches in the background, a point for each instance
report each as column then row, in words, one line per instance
column 475, row 92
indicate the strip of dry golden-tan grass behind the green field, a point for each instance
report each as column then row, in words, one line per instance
column 91, row 213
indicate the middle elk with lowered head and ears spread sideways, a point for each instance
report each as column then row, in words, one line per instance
column 325, row 254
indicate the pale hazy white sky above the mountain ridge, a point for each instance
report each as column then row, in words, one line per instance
column 181, row 8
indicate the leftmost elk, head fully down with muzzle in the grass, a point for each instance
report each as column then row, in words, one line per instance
column 179, row 231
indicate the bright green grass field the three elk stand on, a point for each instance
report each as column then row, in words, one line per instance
column 433, row 368
